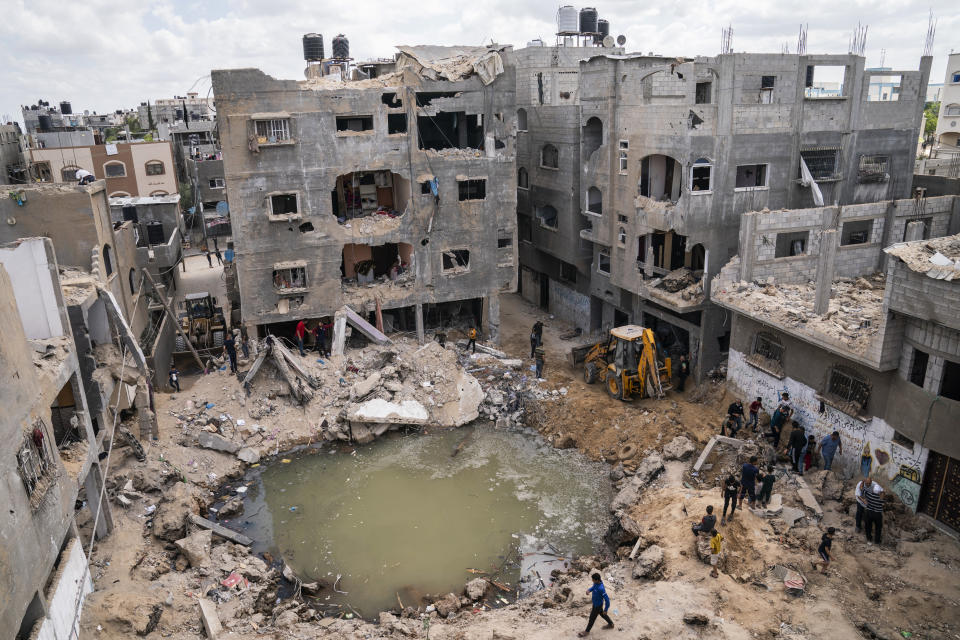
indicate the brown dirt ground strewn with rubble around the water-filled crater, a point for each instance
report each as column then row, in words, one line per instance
column 908, row 584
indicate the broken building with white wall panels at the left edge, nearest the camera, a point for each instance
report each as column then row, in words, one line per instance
column 51, row 440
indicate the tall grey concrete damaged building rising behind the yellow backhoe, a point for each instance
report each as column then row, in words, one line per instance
column 670, row 152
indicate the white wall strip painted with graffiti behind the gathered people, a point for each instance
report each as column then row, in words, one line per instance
column 867, row 445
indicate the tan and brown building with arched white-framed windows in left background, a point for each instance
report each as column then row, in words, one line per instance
column 129, row 168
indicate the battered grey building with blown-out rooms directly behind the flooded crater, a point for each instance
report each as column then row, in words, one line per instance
column 396, row 192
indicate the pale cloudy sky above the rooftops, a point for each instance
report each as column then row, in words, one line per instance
column 107, row 54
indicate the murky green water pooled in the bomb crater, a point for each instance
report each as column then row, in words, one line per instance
column 402, row 516
